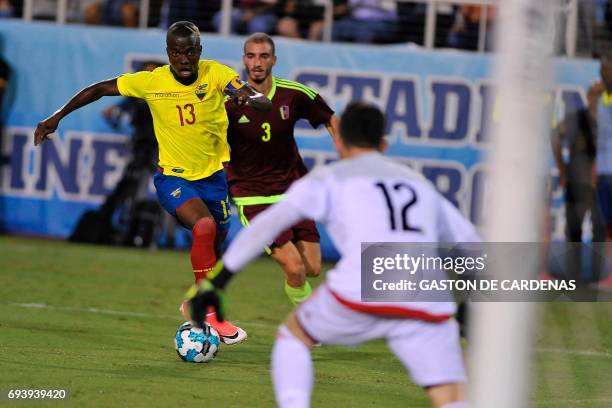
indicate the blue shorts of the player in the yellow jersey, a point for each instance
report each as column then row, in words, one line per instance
column 173, row 191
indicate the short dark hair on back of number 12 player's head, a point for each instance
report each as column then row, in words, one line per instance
column 362, row 125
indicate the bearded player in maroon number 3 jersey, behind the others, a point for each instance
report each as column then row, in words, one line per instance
column 265, row 159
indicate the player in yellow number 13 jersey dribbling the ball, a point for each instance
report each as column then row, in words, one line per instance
column 186, row 99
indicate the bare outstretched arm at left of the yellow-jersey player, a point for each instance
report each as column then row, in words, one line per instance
column 84, row 97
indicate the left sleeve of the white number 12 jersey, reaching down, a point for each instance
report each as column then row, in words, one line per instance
column 303, row 201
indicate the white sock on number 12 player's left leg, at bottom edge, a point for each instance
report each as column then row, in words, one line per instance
column 292, row 373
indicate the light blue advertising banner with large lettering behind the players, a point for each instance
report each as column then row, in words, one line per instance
column 438, row 106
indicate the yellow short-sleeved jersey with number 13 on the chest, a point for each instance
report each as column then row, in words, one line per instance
column 190, row 120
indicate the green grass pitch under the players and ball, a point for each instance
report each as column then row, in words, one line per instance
column 99, row 321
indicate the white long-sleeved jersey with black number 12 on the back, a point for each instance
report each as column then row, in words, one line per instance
column 366, row 198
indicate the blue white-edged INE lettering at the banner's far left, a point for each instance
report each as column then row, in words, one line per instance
column 80, row 166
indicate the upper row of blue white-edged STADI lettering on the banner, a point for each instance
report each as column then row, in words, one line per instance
column 457, row 108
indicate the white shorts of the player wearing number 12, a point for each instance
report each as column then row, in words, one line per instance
column 431, row 352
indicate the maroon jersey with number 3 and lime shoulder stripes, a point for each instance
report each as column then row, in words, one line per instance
column 264, row 158
